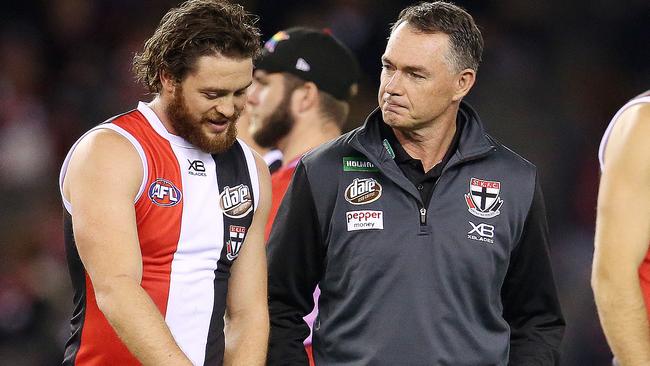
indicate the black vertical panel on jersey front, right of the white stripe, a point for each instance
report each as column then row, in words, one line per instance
column 232, row 170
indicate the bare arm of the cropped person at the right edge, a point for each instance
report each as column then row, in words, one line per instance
column 622, row 237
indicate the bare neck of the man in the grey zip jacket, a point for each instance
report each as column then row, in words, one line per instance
column 429, row 144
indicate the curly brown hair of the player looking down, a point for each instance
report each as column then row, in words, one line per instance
column 196, row 28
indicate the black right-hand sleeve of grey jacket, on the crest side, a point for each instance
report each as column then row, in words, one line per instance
column 530, row 303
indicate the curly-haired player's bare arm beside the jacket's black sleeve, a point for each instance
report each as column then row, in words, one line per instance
column 247, row 316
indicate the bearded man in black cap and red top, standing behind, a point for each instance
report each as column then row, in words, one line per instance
column 299, row 100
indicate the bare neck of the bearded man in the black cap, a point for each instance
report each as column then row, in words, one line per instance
column 305, row 136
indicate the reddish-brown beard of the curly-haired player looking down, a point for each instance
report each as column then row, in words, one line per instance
column 191, row 129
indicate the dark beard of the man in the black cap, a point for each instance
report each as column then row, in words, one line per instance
column 274, row 127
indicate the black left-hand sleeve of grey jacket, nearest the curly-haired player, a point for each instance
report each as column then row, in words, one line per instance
column 295, row 260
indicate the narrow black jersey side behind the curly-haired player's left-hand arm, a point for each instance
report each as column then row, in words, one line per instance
column 78, row 277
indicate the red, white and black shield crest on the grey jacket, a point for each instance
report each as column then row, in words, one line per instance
column 483, row 198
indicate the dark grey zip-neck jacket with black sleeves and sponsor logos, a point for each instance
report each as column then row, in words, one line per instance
column 464, row 281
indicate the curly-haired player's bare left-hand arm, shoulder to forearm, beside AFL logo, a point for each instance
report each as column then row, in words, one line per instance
column 101, row 183
